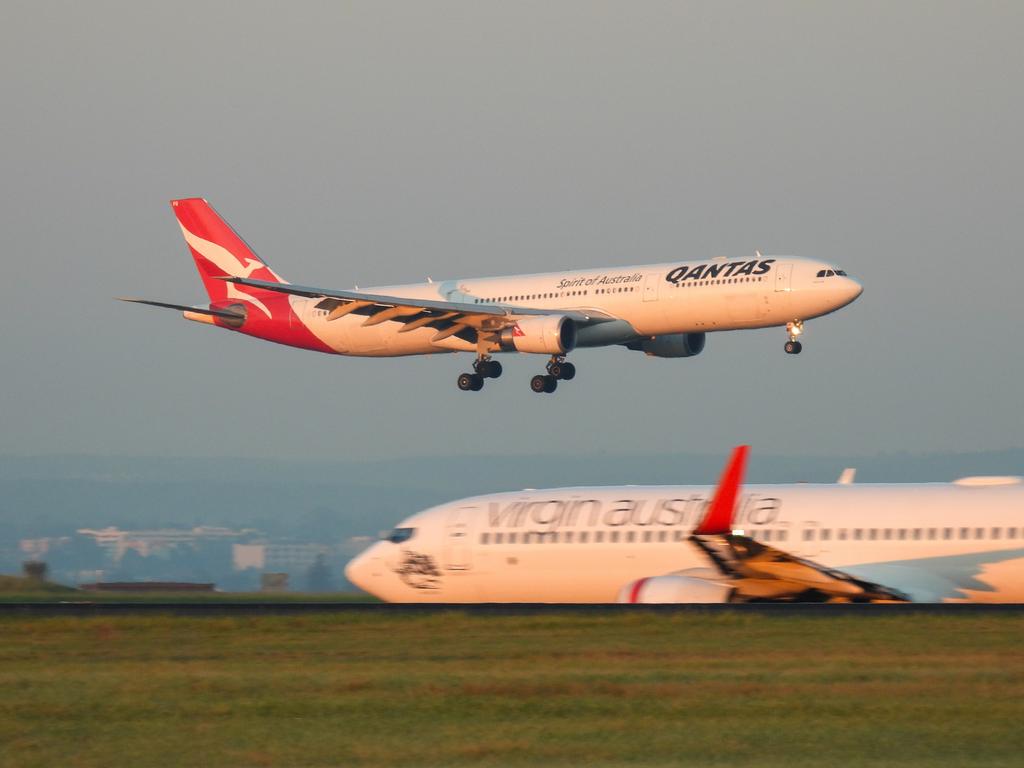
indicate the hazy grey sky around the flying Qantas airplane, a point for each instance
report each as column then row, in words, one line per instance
column 381, row 143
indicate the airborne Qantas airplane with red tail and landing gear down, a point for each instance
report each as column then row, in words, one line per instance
column 665, row 311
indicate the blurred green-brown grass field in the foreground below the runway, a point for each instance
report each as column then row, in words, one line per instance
column 456, row 690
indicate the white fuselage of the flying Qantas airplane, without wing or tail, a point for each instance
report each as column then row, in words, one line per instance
column 645, row 302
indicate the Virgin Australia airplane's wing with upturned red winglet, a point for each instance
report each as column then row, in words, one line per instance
column 760, row 573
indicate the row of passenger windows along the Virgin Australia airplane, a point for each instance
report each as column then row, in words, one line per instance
column 761, row 535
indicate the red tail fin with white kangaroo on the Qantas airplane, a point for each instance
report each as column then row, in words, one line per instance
column 218, row 249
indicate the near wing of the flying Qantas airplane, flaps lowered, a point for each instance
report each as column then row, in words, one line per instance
column 449, row 318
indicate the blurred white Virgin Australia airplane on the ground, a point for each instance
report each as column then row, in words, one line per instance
column 959, row 542
